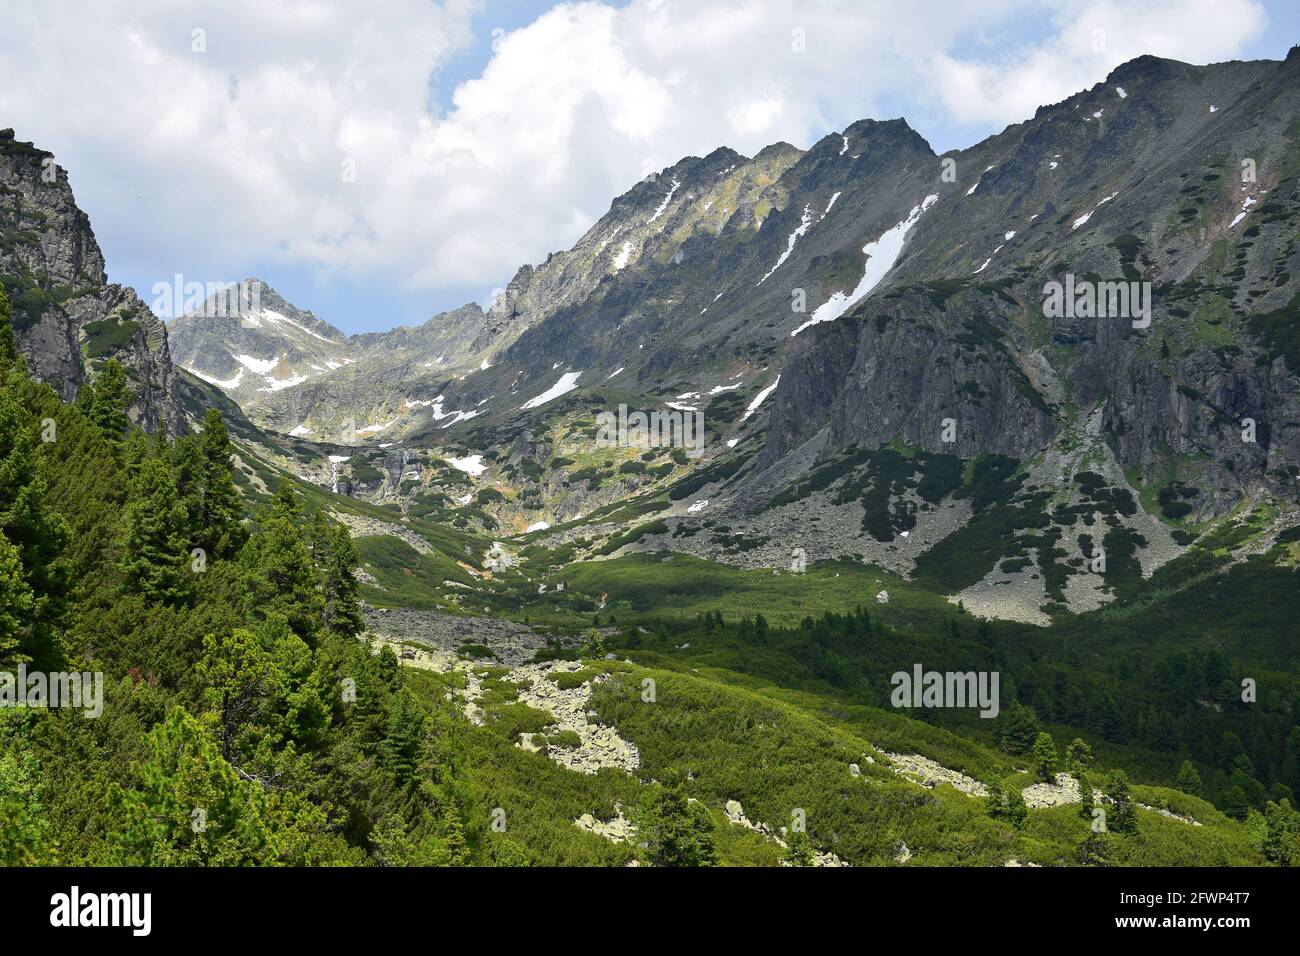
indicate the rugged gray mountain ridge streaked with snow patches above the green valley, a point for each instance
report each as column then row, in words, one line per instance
column 834, row 309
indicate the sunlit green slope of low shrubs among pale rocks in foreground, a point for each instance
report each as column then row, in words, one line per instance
column 777, row 752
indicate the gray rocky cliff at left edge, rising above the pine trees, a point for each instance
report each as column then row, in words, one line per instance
column 67, row 317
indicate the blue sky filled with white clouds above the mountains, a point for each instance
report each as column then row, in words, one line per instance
column 214, row 141
